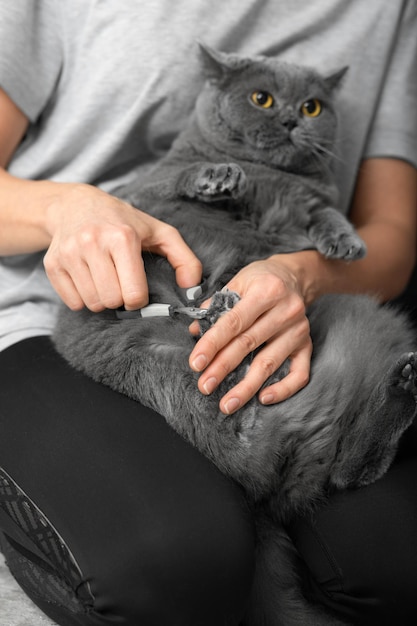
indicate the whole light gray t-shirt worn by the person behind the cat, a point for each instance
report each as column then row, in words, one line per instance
column 108, row 85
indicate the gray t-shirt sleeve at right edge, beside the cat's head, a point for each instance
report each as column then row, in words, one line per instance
column 394, row 128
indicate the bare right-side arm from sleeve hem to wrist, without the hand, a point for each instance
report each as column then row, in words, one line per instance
column 384, row 213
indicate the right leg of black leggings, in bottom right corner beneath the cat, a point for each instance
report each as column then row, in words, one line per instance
column 360, row 550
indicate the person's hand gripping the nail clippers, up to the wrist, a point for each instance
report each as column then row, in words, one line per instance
column 95, row 255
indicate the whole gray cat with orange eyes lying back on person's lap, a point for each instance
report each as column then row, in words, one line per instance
column 249, row 177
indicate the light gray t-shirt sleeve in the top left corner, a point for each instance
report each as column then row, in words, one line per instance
column 30, row 53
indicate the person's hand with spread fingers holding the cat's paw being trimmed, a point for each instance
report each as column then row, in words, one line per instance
column 271, row 313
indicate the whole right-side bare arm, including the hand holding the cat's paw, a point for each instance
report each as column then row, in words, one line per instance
column 275, row 291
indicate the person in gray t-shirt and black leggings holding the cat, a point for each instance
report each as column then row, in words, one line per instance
column 149, row 530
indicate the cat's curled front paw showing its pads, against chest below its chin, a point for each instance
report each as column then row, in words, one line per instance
column 223, row 180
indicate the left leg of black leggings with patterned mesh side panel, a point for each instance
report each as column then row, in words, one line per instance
column 161, row 536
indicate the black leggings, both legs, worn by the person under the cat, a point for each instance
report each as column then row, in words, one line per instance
column 157, row 535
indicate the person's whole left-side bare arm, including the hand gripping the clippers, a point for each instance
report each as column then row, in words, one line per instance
column 93, row 240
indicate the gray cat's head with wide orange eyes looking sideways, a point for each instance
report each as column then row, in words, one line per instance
column 265, row 110
